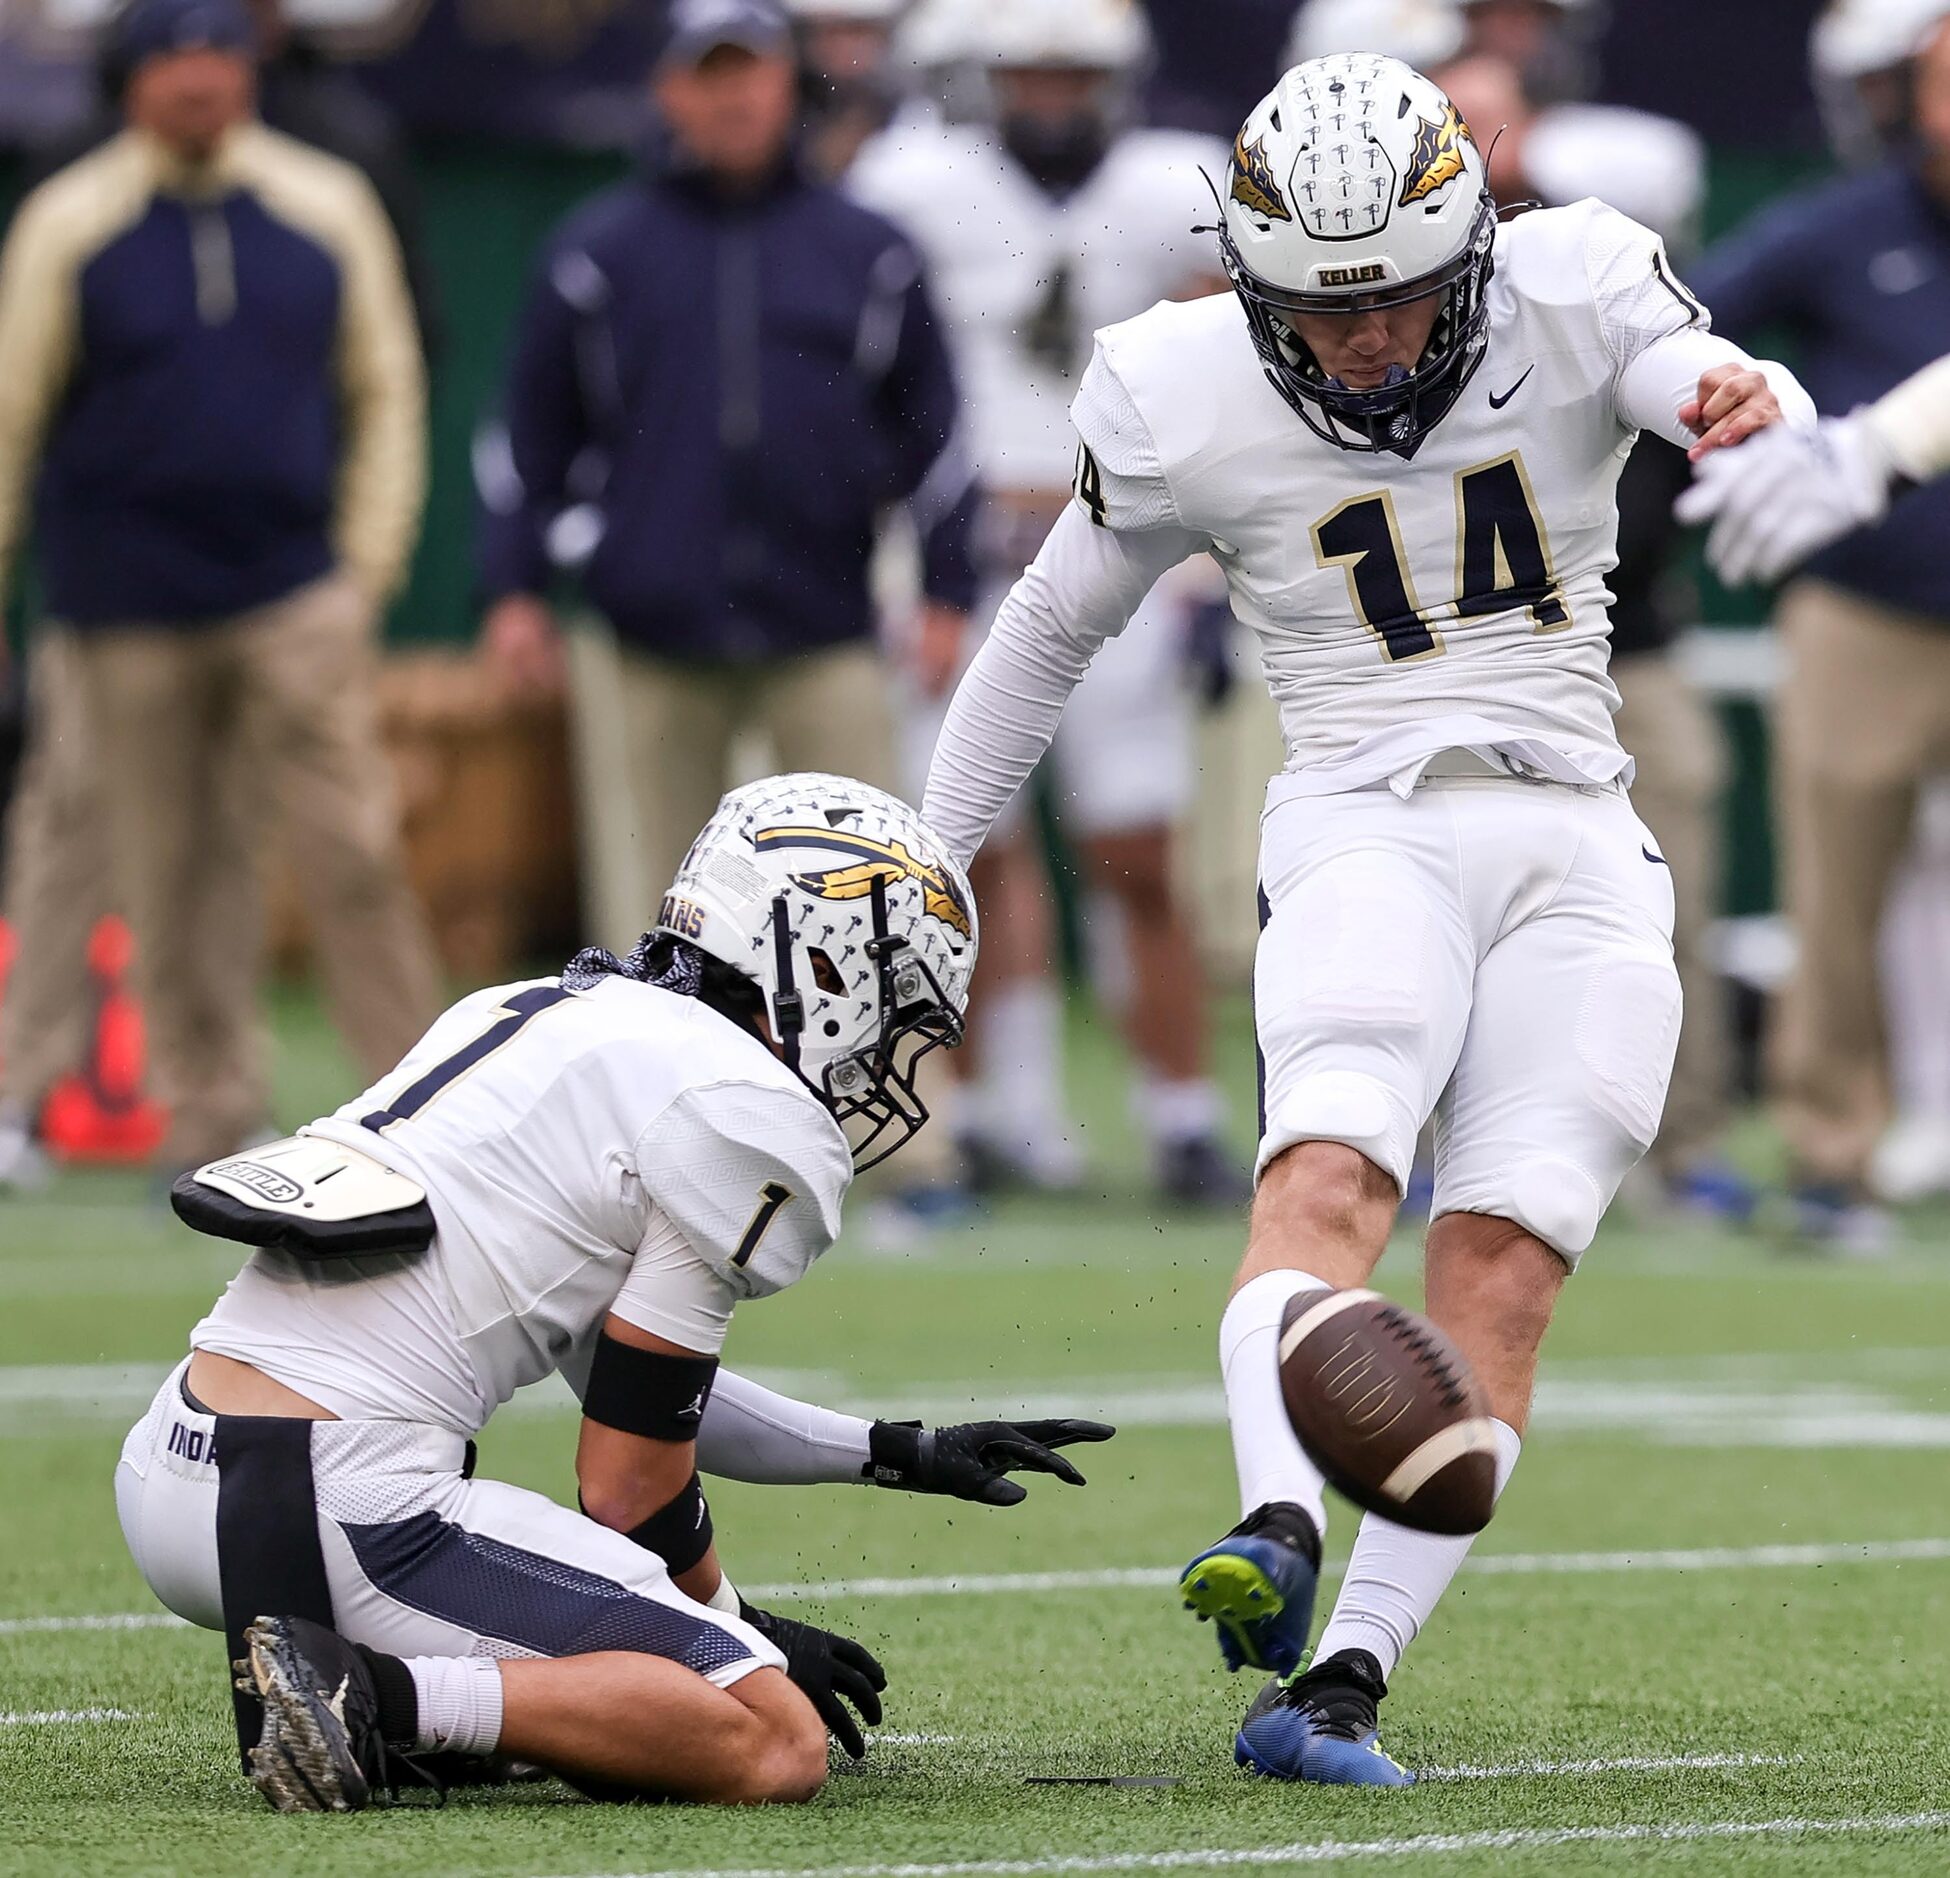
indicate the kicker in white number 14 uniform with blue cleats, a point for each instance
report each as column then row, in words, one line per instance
column 1401, row 440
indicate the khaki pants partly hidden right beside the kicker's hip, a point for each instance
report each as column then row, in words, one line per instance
column 1678, row 793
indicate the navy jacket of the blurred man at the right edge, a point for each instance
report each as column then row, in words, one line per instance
column 1857, row 274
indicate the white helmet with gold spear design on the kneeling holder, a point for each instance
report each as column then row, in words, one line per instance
column 857, row 927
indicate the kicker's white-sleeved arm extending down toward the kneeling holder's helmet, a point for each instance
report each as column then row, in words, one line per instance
column 1103, row 557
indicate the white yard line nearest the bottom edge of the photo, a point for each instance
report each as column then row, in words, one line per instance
column 1333, row 1852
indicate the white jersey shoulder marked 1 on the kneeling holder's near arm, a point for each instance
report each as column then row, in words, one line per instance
column 752, row 1177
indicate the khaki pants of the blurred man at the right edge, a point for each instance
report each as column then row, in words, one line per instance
column 1863, row 719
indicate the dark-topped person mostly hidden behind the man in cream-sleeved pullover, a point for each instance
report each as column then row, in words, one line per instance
column 58, row 847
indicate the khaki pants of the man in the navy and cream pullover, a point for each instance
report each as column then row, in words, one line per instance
column 272, row 709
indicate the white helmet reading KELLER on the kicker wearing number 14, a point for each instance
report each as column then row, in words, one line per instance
column 1356, row 186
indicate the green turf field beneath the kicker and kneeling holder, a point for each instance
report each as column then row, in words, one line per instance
column 1707, row 1631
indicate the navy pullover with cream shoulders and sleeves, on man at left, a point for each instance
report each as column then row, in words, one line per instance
column 214, row 383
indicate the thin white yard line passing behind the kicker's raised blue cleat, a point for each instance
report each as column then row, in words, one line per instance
column 1155, row 1579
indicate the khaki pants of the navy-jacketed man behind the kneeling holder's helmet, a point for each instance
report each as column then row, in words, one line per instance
column 654, row 746
